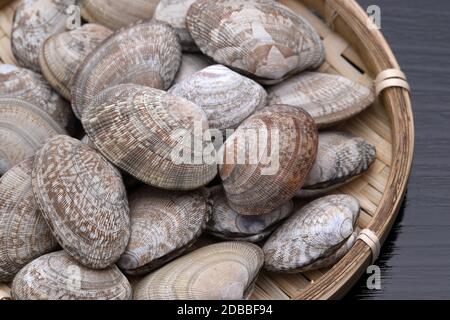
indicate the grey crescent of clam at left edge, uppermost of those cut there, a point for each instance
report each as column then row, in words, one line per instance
column 25, row 84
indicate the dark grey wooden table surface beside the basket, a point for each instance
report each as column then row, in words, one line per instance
column 415, row 260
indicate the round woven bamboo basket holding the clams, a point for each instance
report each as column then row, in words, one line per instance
column 360, row 53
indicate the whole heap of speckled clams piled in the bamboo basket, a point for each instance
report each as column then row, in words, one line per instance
column 90, row 190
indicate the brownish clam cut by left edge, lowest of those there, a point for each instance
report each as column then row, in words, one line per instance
column 24, row 235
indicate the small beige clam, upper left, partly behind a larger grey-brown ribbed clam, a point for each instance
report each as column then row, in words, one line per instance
column 62, row 54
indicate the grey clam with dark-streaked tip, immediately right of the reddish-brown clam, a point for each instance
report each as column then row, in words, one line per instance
column 341, row 157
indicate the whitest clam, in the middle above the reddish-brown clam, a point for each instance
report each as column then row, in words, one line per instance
column 226, row 97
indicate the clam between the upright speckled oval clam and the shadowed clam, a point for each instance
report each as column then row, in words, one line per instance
column 162, row 223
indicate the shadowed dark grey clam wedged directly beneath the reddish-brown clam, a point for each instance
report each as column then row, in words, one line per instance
column 225, row 223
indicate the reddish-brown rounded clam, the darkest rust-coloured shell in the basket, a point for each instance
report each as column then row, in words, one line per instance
column 260, row 177
